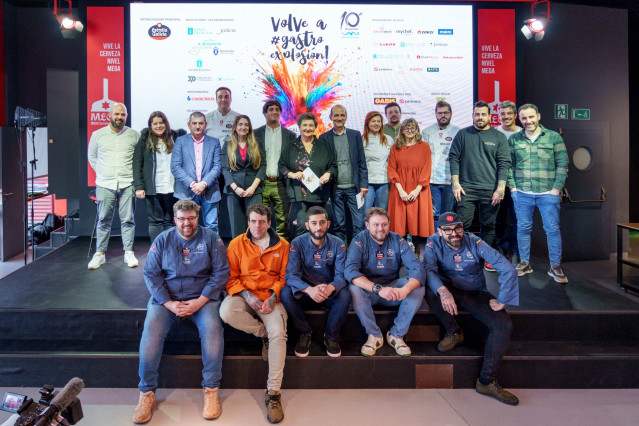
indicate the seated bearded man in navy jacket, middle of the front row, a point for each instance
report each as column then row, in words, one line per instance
column 315, row 276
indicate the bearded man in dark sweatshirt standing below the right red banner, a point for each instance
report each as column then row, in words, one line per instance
column 479, row 162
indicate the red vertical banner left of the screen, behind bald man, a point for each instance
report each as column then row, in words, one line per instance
column 105, row 67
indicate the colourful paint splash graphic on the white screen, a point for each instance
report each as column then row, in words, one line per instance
column 312, row 88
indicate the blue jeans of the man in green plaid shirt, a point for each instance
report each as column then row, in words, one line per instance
column 548, row 206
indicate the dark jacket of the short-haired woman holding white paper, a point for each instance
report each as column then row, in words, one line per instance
column 322, row 160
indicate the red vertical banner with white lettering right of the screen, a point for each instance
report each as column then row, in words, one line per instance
column 496, row 71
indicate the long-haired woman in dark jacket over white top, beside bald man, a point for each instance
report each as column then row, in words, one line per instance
column 152, row 177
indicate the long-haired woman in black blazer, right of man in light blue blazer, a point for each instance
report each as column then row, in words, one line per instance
column 244, row 170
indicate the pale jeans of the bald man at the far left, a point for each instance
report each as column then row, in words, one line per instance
column 126, row 210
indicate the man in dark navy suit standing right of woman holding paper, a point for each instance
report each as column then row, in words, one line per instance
column 352, row 173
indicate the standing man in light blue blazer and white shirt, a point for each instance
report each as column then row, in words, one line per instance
column 196, row 165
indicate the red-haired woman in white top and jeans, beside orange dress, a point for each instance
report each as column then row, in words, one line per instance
column 377, row 146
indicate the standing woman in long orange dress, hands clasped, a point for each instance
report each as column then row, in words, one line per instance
column 410, row 205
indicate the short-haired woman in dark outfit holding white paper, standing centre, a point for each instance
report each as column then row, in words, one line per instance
column 306, row 151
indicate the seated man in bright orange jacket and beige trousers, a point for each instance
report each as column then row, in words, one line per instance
column 257, row 261
